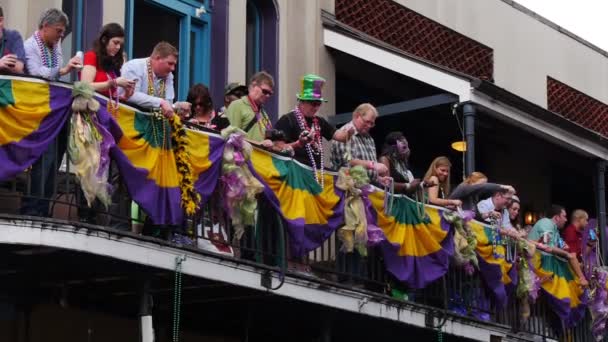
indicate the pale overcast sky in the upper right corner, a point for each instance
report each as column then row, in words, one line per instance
column 585, row 18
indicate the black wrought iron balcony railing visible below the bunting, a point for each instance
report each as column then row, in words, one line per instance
column 267, row 243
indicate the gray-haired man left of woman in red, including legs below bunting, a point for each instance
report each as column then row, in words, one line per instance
column 44, row 59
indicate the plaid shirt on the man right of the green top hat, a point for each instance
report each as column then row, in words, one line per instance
column 362, row 147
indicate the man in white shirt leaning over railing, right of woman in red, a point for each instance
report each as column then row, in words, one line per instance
column 154, row 80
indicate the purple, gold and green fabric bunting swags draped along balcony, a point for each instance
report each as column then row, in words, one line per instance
column 418, row 241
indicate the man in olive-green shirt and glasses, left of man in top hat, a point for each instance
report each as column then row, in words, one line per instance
column 248, row 114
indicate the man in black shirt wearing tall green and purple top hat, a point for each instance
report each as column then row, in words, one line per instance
column 303, row 129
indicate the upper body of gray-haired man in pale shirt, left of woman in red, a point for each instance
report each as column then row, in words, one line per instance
column 43, row 49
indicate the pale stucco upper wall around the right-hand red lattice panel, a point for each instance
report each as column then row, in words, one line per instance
column 525, row 49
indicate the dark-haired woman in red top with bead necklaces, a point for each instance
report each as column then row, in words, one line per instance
column 102, row 65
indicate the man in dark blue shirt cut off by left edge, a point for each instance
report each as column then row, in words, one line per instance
column 12, row 54
